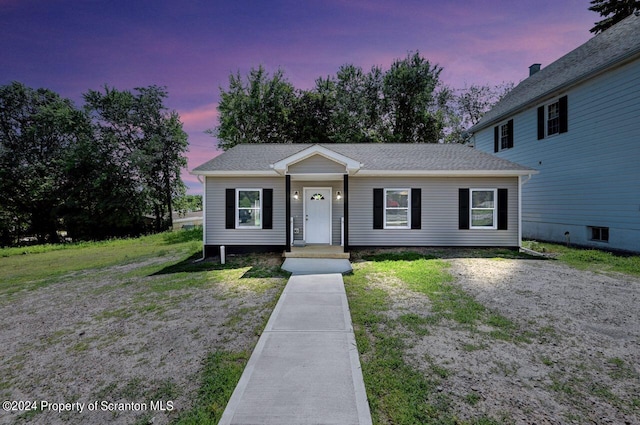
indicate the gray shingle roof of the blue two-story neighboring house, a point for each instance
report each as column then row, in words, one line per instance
column 618, row 43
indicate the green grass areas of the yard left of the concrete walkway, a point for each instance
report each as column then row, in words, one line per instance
column 172, row 268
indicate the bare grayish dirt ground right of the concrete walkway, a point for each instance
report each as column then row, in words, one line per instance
column 579, row 360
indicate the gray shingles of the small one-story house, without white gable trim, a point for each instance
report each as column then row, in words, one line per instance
column 374, row 157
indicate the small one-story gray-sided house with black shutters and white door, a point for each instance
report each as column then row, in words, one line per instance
column 269, row 197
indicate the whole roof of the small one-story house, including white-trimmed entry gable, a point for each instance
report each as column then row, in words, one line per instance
column 363, row 159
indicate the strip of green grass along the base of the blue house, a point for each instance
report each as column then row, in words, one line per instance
column 589, row 259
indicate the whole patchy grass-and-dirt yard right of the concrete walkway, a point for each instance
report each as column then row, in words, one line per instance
column 463, row 339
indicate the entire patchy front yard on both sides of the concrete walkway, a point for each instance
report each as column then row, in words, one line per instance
column 445, row 336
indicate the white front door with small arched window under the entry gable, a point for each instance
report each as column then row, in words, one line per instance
column 317, row 211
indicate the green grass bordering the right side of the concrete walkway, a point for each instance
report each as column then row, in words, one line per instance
column 398, row 392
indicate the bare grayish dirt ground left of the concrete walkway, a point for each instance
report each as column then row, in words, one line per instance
column 120, row 335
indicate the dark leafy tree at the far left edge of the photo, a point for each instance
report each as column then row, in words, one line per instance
column 38, row 128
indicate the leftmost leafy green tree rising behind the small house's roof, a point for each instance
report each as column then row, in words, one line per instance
column 258, row 111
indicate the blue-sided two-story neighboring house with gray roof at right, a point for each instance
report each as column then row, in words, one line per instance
column 578, row 122
